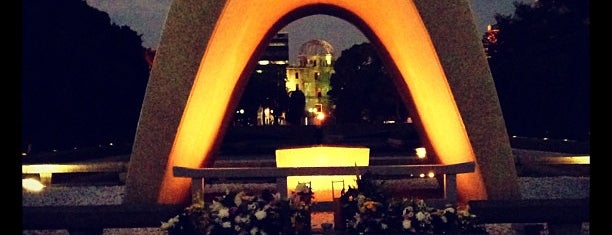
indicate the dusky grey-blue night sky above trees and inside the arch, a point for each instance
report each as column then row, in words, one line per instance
column 147, row 18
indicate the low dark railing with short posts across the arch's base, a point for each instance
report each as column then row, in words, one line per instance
column 280, row 174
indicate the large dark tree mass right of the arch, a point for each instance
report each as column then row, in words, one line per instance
column 540, row 61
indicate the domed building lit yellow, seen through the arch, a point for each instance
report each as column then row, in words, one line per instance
column 311, row 76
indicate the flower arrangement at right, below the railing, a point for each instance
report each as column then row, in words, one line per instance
column 367, row 209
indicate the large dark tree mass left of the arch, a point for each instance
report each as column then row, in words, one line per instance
column 83, row 77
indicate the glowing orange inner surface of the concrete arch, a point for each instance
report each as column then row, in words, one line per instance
column 241, row 27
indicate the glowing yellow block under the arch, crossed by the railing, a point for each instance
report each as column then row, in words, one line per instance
column 322, row 156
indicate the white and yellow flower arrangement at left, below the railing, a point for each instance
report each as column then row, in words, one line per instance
column 241, row 213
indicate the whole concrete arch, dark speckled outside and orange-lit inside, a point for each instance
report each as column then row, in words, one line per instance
column 204, row 58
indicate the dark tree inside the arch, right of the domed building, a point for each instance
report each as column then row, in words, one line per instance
column 362, row 90
